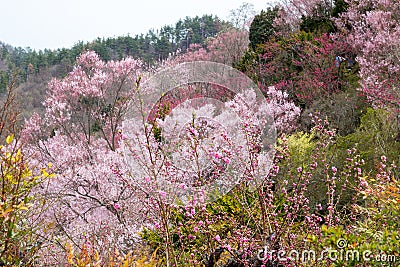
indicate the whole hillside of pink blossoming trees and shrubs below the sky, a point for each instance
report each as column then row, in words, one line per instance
column 283, row 136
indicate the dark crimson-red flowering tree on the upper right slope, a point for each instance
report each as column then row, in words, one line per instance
column 303, row 65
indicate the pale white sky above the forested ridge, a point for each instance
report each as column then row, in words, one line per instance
column 53, row 24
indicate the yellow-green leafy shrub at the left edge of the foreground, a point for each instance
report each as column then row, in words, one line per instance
column 17, row 180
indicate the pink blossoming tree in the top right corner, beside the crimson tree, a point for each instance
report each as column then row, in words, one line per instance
column 372, row 28
